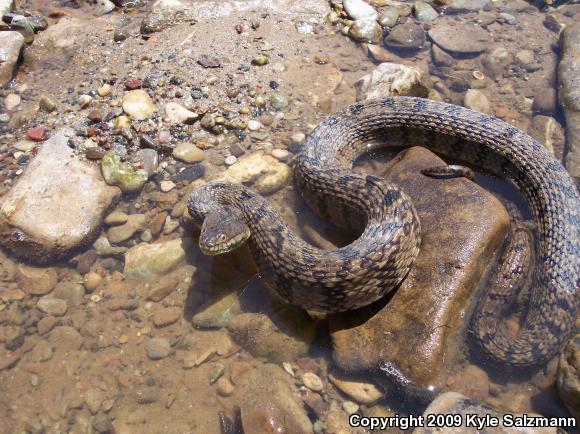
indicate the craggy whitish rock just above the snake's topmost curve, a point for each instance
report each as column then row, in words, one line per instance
column 391, row 79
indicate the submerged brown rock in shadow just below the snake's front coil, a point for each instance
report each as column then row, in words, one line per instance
column 278, row 343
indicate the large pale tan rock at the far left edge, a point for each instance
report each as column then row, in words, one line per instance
column 56, row 206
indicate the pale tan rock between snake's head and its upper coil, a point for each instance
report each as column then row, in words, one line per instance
column 263, row 173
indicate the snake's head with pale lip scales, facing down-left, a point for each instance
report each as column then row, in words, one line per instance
column 222, row 232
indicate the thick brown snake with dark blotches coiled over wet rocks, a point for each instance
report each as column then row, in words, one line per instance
column 346, row 278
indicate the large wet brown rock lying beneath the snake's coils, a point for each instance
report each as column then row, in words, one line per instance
column 415, row 335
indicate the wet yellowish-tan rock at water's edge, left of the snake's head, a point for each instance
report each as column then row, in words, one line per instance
column 146, row 261
